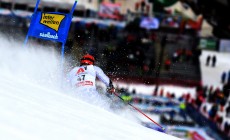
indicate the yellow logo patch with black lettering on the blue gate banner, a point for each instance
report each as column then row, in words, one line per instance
column 53, row 21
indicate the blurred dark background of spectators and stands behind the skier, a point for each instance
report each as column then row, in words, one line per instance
column 151, row 42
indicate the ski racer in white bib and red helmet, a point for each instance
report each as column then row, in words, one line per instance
column 83, row 77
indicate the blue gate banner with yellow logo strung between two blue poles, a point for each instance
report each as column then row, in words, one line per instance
column 50, row 26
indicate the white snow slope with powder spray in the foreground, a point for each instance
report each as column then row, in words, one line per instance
column 33, row 107
